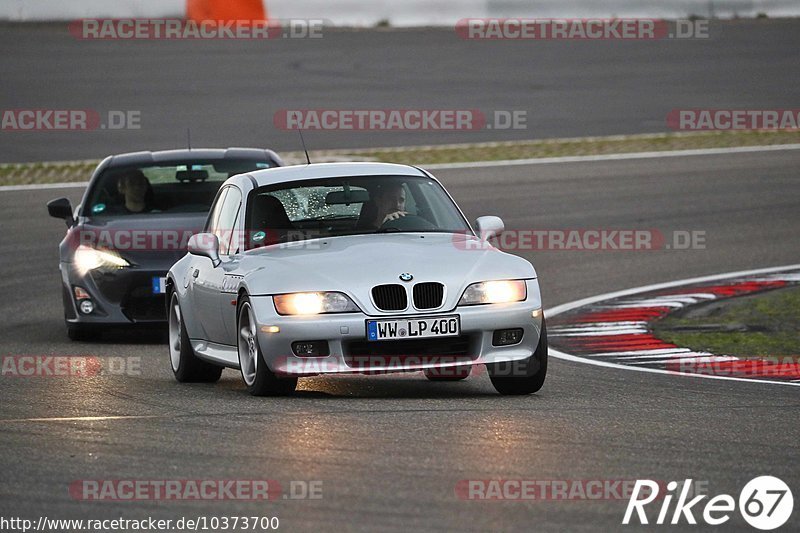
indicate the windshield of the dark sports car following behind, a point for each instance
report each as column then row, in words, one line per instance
column 174, row 187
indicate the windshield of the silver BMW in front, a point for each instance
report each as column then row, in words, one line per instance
column 349, row 206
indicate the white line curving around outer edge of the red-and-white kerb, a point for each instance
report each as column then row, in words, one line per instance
column 563, row 308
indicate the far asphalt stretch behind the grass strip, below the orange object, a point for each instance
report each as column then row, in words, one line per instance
column 227, row 92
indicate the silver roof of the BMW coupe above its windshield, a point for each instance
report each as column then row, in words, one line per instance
column 332, row 170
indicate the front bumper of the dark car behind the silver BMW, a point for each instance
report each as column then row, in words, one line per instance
column 123, row 296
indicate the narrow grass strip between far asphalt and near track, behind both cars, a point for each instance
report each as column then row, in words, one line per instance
column 72, row 171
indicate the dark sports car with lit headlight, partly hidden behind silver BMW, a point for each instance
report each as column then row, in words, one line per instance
column 132, row 225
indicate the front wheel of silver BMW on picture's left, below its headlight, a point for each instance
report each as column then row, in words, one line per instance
column 258, row 378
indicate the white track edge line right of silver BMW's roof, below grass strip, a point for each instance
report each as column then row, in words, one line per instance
column 614, row 157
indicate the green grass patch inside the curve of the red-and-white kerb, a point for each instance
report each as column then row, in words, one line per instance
column 762, row 325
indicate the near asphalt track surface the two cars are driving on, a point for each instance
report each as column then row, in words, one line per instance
column 391, row 449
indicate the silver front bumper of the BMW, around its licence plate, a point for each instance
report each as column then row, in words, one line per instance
column 350, row 352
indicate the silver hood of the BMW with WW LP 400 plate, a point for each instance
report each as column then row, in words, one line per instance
column 354, row 264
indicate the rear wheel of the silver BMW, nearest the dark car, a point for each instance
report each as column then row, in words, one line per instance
column 186, row 366
